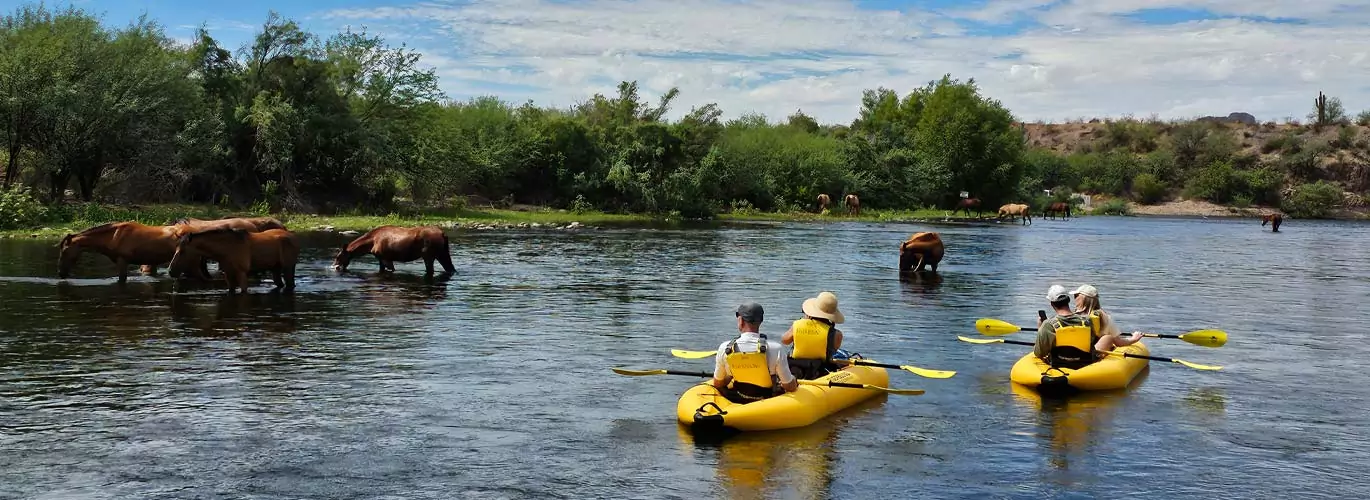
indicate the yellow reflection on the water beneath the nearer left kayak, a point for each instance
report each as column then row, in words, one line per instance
column 779, row 464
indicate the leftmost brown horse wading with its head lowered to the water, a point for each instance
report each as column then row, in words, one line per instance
column 124, row 243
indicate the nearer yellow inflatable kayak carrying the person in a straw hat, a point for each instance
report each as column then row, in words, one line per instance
column 703, row 409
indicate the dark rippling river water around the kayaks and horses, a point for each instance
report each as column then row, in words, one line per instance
column 495, row 383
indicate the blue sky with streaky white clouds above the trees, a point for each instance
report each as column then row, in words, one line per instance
column 1045, row 61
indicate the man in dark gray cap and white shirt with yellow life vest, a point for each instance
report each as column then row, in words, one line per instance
column 747, row 368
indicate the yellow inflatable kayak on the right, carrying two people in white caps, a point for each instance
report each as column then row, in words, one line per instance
column 1105, row 375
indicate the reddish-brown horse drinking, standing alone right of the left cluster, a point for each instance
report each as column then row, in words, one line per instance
column 405, row 245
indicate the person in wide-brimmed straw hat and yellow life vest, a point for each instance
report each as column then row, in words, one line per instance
column 816, row 338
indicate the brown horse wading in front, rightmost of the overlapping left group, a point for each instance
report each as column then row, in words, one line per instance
column 240, row 253
